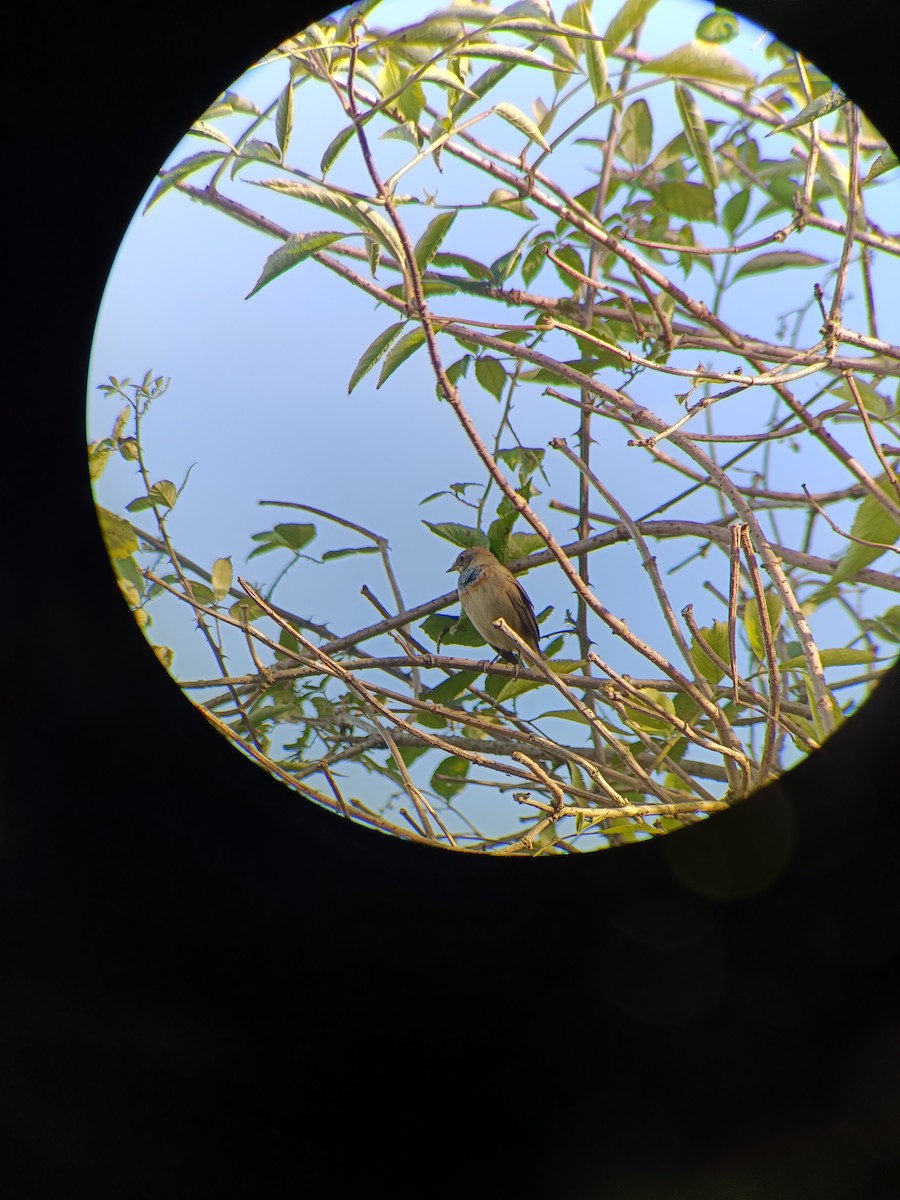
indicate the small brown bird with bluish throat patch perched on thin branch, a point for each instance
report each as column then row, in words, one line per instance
column 488, row 592
